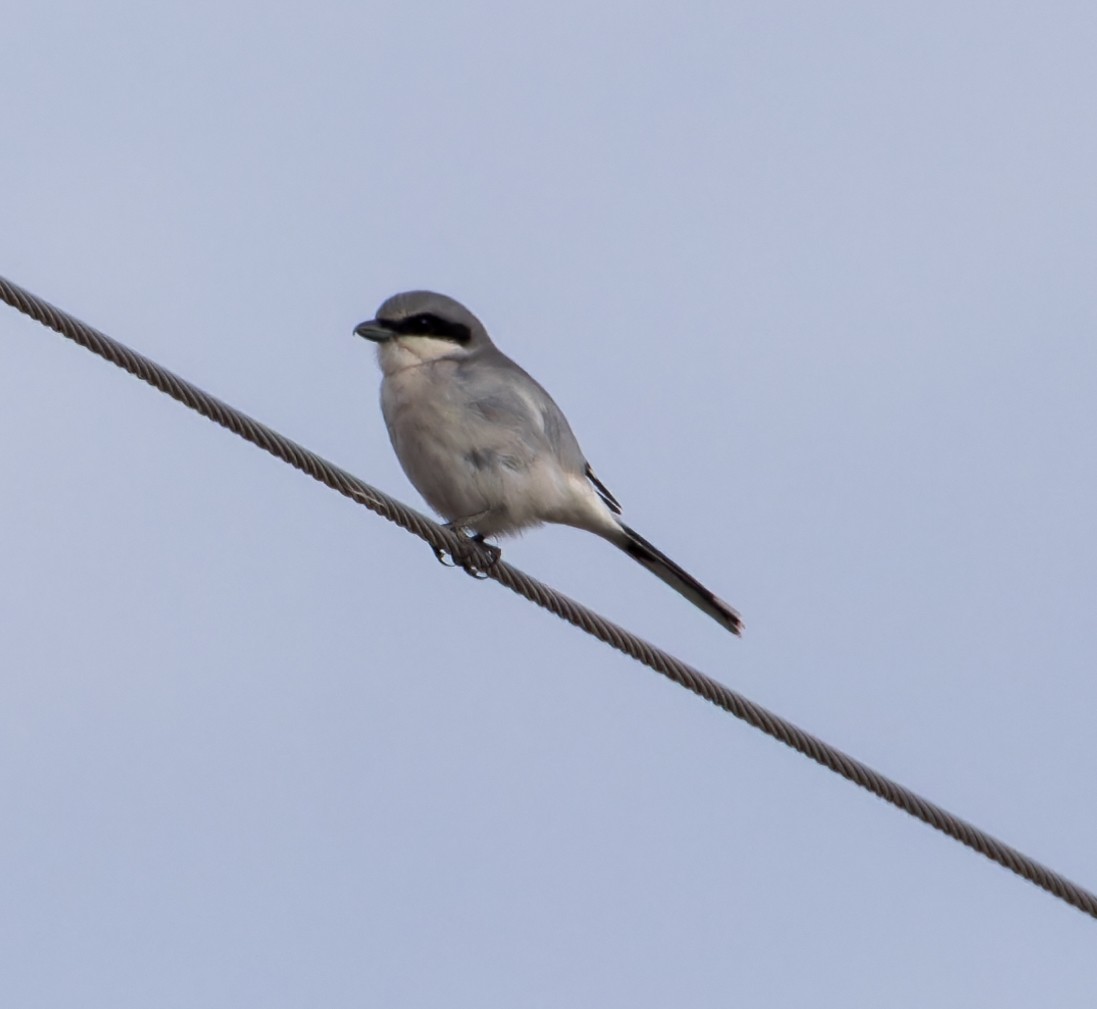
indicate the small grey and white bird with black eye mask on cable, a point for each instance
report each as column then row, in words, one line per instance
column 488, row 447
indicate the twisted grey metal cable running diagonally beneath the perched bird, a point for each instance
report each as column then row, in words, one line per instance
column 476, row 560
